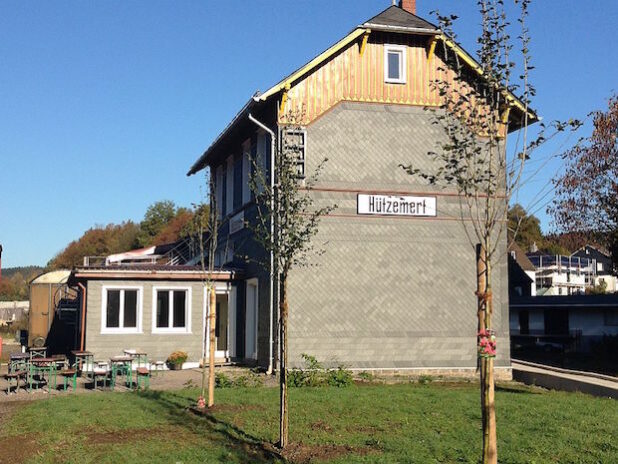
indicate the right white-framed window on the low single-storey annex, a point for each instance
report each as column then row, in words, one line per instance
column 171, row 310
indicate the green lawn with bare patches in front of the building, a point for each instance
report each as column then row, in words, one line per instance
column 382, row 424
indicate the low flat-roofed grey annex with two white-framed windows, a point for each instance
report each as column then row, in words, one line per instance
column 157, row 308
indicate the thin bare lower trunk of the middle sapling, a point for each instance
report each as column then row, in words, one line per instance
column 283, row 362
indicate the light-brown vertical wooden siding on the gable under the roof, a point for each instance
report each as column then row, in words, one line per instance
column 350, row 76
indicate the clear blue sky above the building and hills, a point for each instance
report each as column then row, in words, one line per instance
column 105, row 105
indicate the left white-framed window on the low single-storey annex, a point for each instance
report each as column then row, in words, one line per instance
column 121, row 310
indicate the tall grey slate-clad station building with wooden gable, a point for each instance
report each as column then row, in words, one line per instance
column 394, row 289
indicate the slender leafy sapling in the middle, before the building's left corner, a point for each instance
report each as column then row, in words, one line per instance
column 296, row 218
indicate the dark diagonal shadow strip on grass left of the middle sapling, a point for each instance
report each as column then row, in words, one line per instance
column 246, row 447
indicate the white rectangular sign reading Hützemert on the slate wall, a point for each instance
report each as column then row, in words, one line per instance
column 396, row 205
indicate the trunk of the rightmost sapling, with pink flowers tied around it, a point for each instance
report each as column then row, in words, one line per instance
column 488, row 406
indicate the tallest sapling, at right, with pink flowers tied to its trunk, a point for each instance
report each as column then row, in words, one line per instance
column 477, row 108
